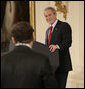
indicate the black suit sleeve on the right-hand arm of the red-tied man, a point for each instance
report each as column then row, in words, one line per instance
column 66, row 37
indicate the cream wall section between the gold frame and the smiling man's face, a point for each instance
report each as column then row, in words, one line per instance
column 41, row 24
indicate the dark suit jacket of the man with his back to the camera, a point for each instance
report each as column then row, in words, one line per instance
column 23, row 68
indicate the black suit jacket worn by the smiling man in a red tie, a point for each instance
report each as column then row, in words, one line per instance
column 62, row 36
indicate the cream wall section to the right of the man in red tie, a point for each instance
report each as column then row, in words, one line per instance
column 76, row 19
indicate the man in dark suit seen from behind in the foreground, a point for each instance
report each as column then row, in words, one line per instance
column 23, row 68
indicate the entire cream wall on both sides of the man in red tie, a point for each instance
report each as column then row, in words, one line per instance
column 75, row 17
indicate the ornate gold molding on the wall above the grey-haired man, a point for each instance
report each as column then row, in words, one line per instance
column 62, row 7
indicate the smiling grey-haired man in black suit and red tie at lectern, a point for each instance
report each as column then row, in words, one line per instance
column 59, row 36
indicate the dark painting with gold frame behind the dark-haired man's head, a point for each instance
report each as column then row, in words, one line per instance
column 11, row 13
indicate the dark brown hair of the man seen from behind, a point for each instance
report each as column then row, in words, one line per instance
column 22, row 32
